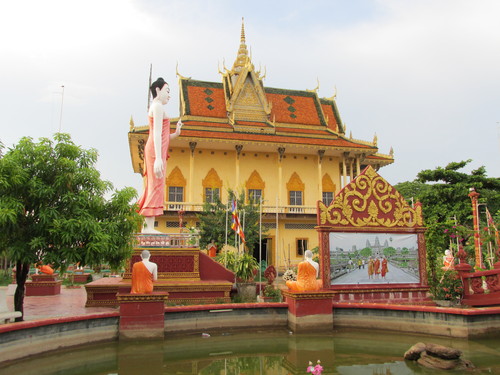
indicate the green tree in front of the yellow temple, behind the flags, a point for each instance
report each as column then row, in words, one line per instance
column 213, row 221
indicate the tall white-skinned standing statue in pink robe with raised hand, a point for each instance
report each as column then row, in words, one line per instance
column 156, row 155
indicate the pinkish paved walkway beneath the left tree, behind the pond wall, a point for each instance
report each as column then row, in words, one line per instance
column 71, row 302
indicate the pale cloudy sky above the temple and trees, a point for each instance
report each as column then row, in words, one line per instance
column 424, row 76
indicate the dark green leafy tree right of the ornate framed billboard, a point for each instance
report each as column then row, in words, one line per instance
column 443, row 193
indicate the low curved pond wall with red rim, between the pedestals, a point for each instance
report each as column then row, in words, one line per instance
column 18, row 340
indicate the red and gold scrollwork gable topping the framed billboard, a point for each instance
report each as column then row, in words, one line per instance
column 369, row 201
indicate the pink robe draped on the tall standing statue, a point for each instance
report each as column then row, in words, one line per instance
column 151, row 201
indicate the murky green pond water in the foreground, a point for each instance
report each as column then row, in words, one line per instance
column 257, row 352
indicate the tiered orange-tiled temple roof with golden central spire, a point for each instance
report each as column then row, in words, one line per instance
column 241, row 110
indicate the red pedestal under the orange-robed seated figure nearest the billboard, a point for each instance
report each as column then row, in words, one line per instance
column 309, row 311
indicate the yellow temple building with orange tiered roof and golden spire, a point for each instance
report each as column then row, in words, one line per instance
column 286, row 147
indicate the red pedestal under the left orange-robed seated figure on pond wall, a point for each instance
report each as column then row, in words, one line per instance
column 142, row 315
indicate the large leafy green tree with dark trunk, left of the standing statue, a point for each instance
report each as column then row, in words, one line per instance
column 53, row 209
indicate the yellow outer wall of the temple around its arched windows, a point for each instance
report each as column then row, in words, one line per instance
column 267, row 165
